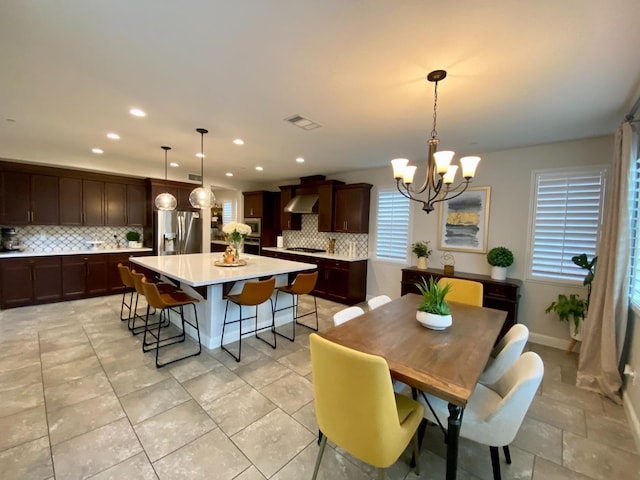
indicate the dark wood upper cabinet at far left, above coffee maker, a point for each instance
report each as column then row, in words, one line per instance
column 27, row 198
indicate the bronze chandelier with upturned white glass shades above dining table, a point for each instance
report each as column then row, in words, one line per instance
column 440, row 173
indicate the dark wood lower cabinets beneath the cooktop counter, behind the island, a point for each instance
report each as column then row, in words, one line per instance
column 338, row 280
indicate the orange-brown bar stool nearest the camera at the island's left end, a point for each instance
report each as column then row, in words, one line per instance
column 165, row 303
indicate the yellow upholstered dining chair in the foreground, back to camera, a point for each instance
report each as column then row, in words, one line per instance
column 356, row 406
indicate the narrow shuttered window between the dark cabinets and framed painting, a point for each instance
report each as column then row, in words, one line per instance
column 392, row 228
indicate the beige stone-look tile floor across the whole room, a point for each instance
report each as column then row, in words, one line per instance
column 78, row 399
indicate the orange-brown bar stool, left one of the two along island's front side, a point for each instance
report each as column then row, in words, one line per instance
column 252, row 294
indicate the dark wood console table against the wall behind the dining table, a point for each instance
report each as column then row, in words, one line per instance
column 498, row 294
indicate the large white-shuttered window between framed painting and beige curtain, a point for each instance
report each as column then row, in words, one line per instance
column 566, row 219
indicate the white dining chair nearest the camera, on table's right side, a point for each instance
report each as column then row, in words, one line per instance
column 494, row 413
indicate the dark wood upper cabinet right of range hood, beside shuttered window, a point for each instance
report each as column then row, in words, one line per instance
column 351, row 208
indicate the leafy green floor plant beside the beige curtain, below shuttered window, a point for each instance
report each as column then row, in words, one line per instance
column 573, row 308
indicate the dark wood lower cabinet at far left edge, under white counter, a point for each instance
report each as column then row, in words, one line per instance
column 29, row 281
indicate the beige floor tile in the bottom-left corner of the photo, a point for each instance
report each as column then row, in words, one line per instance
column 30, row 460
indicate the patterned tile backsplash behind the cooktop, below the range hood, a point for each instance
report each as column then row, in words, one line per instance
column 309, row 236
